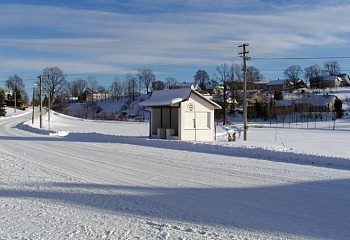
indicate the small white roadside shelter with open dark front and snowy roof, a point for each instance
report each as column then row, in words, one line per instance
column 181, row 114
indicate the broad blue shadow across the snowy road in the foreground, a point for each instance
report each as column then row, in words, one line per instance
column 313, row 209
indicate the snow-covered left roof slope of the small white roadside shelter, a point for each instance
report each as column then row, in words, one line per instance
column 166, row 97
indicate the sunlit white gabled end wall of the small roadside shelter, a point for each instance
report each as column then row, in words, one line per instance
column 197, row 124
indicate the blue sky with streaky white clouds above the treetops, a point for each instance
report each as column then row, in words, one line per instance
column 108, row 38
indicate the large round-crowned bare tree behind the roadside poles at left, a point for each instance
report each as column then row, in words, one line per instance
column 54, row 82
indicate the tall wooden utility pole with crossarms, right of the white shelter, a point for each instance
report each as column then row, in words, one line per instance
column 243, row 54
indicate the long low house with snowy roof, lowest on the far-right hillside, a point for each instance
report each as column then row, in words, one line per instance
column 317, row 103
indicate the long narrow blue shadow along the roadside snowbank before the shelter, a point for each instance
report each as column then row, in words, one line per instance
column 282, row 155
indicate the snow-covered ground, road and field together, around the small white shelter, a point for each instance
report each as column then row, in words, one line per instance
column 82, row 179
